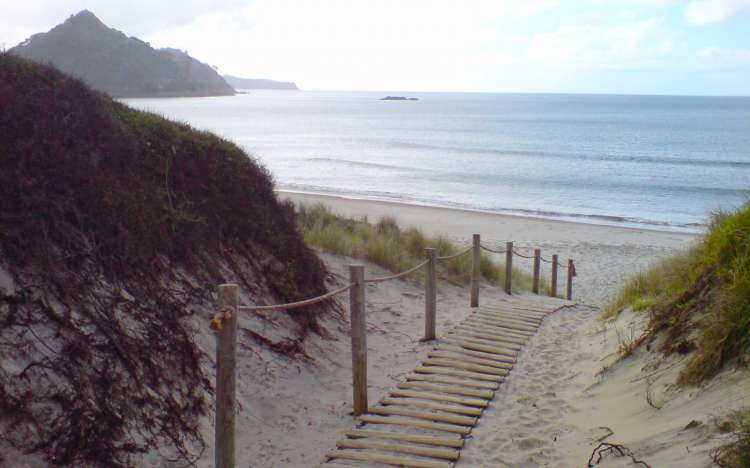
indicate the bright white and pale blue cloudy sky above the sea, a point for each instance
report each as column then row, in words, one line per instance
column 690, row 47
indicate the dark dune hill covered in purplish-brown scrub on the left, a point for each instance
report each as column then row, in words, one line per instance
column 115, row 228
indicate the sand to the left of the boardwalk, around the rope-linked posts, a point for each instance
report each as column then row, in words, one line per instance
column 293, row 411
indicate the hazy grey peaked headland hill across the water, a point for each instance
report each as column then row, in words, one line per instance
column 109, row 61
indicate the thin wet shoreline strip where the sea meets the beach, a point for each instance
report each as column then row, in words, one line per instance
column 288, row 193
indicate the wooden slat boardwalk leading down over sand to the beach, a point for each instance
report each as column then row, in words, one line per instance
column 423, row 422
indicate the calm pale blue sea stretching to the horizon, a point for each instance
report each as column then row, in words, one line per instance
column 648, row 161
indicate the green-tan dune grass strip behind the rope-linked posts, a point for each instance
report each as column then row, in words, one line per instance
column 387, row 245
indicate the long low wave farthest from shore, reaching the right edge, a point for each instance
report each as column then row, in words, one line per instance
column 604, row 157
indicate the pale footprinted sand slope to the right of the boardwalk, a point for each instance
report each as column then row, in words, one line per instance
column 569, row 390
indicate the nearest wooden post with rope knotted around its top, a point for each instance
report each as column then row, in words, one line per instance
column 226, row 361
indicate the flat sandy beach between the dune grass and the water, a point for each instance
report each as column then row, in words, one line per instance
column 604, row 255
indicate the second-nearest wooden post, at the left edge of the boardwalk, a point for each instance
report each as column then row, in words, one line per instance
column 359, row 338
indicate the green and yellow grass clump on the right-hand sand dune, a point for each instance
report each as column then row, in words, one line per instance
column 707, row 290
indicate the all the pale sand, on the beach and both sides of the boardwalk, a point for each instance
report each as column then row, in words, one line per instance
column 556, row 403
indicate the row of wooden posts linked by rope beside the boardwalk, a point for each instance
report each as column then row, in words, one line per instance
column 224, row 322
